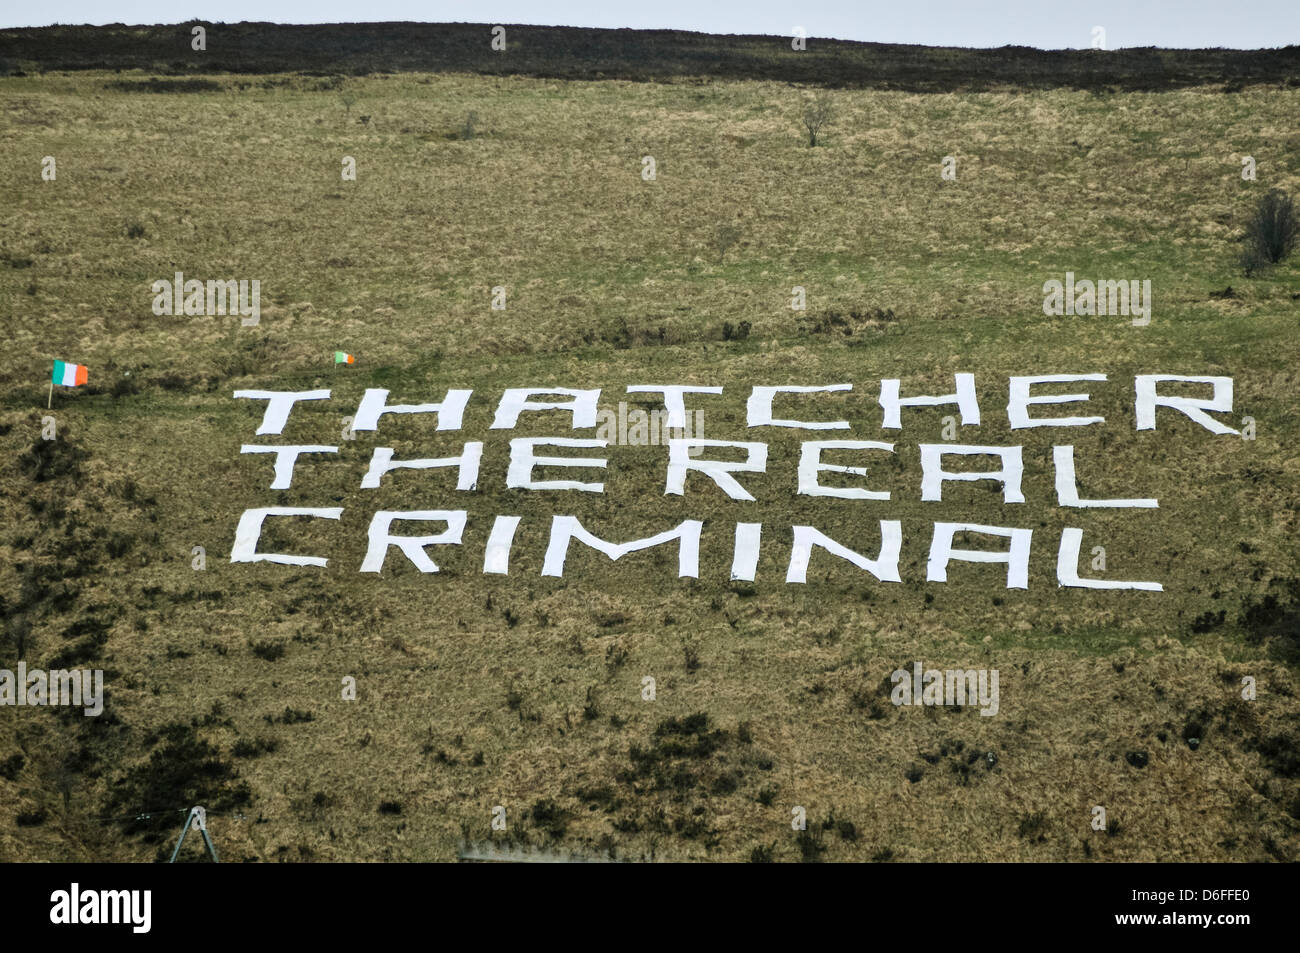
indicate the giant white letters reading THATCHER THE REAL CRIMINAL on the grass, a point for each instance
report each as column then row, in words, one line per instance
column 727, row 465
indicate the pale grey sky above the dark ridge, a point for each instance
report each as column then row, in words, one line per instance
column 1045, row 24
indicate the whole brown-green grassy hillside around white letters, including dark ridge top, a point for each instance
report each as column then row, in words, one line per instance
column 526, row 691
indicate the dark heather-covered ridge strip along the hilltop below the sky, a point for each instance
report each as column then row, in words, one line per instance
column 636, row 55
